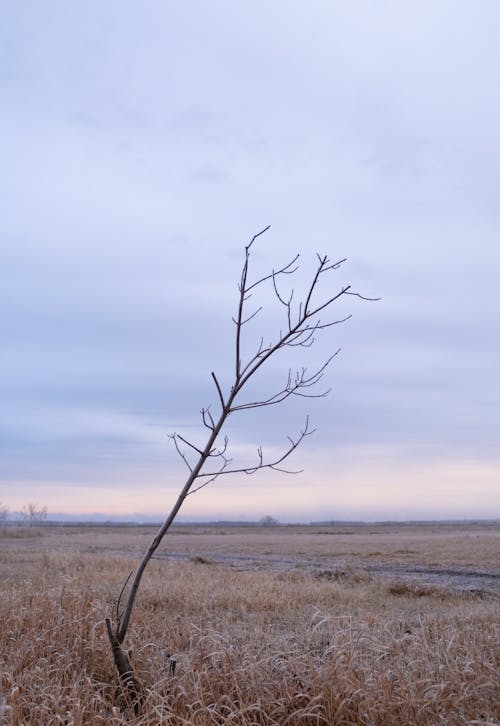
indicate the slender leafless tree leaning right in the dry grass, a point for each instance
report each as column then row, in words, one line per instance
column 210, row 460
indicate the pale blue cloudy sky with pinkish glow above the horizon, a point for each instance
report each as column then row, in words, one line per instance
column 142, row 146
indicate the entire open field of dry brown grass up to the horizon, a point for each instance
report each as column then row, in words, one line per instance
column 366, row 624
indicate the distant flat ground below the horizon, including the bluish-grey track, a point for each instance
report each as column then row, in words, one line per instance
column 461, row 556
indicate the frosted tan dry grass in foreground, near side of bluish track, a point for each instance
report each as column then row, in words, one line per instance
column 336, row 646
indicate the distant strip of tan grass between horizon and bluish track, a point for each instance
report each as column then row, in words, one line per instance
column 474, row 545
